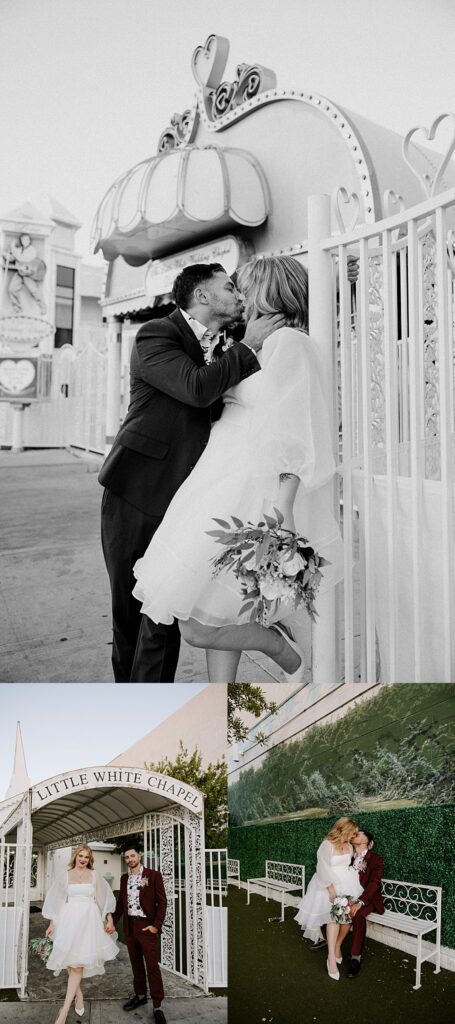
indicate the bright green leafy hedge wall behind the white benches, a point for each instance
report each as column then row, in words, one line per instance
column 418, row 844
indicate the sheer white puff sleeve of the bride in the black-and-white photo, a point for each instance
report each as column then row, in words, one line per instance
column 291, row 431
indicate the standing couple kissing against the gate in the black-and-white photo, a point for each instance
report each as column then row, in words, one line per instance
column 175, row 468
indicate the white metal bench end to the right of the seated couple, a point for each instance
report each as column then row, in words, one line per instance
column 416, row 910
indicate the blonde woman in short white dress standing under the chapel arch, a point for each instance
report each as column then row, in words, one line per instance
column 77, row 905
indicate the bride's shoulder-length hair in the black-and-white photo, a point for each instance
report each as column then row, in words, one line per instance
column 276, row 285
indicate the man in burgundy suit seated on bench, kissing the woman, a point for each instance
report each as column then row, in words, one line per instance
column 370, row 868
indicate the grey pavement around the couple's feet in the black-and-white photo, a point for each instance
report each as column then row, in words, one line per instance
column 55, row 595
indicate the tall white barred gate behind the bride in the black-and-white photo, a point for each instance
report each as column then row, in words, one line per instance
column 395, row 344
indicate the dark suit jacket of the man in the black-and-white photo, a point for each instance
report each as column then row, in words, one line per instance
column 169, row 421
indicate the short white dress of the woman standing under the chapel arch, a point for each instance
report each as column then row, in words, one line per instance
column 78, row 912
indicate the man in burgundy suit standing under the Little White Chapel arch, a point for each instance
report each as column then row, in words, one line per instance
column 143, row 905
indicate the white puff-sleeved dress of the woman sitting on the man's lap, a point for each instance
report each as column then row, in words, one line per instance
column 334, row 868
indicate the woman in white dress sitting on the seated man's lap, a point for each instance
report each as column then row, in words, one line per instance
column 334, row 877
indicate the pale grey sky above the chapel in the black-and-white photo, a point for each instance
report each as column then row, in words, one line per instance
column 89, row 86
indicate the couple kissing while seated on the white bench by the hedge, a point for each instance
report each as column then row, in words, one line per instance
column 345, row 889
